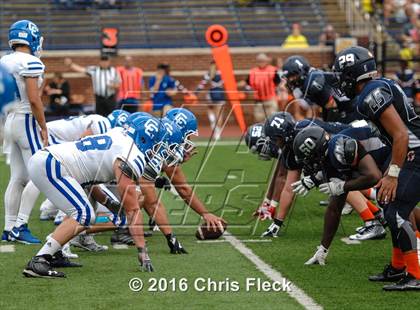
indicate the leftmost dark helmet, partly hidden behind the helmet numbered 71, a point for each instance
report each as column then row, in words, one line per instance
column 259, row 144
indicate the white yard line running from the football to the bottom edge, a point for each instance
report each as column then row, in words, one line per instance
column 295, row 292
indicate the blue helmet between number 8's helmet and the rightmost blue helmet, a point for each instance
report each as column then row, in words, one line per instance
column 174, row 153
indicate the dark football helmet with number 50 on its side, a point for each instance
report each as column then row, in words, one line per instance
column 311, row 146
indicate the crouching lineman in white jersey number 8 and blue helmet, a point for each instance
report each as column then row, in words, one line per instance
column 60, row 171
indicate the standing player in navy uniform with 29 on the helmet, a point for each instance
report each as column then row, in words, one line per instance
column 383, row 102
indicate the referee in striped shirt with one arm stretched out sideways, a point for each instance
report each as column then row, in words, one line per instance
column 105, row 81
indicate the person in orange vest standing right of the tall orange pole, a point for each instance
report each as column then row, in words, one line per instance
column 263, row 80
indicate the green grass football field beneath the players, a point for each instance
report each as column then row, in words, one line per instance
column 232, row 183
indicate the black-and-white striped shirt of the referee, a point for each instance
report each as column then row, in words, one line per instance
column 101, row 80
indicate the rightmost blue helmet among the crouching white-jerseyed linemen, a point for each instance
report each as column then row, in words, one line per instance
column 187, row 123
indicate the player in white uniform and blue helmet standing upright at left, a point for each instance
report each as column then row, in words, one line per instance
column 25, row 129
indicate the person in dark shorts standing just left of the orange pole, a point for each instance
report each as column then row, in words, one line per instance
column 216, row 98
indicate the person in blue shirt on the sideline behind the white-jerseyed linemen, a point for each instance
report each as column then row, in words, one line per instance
column 162, row 88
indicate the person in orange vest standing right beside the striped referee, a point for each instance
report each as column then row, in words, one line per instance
column 131, row 85
